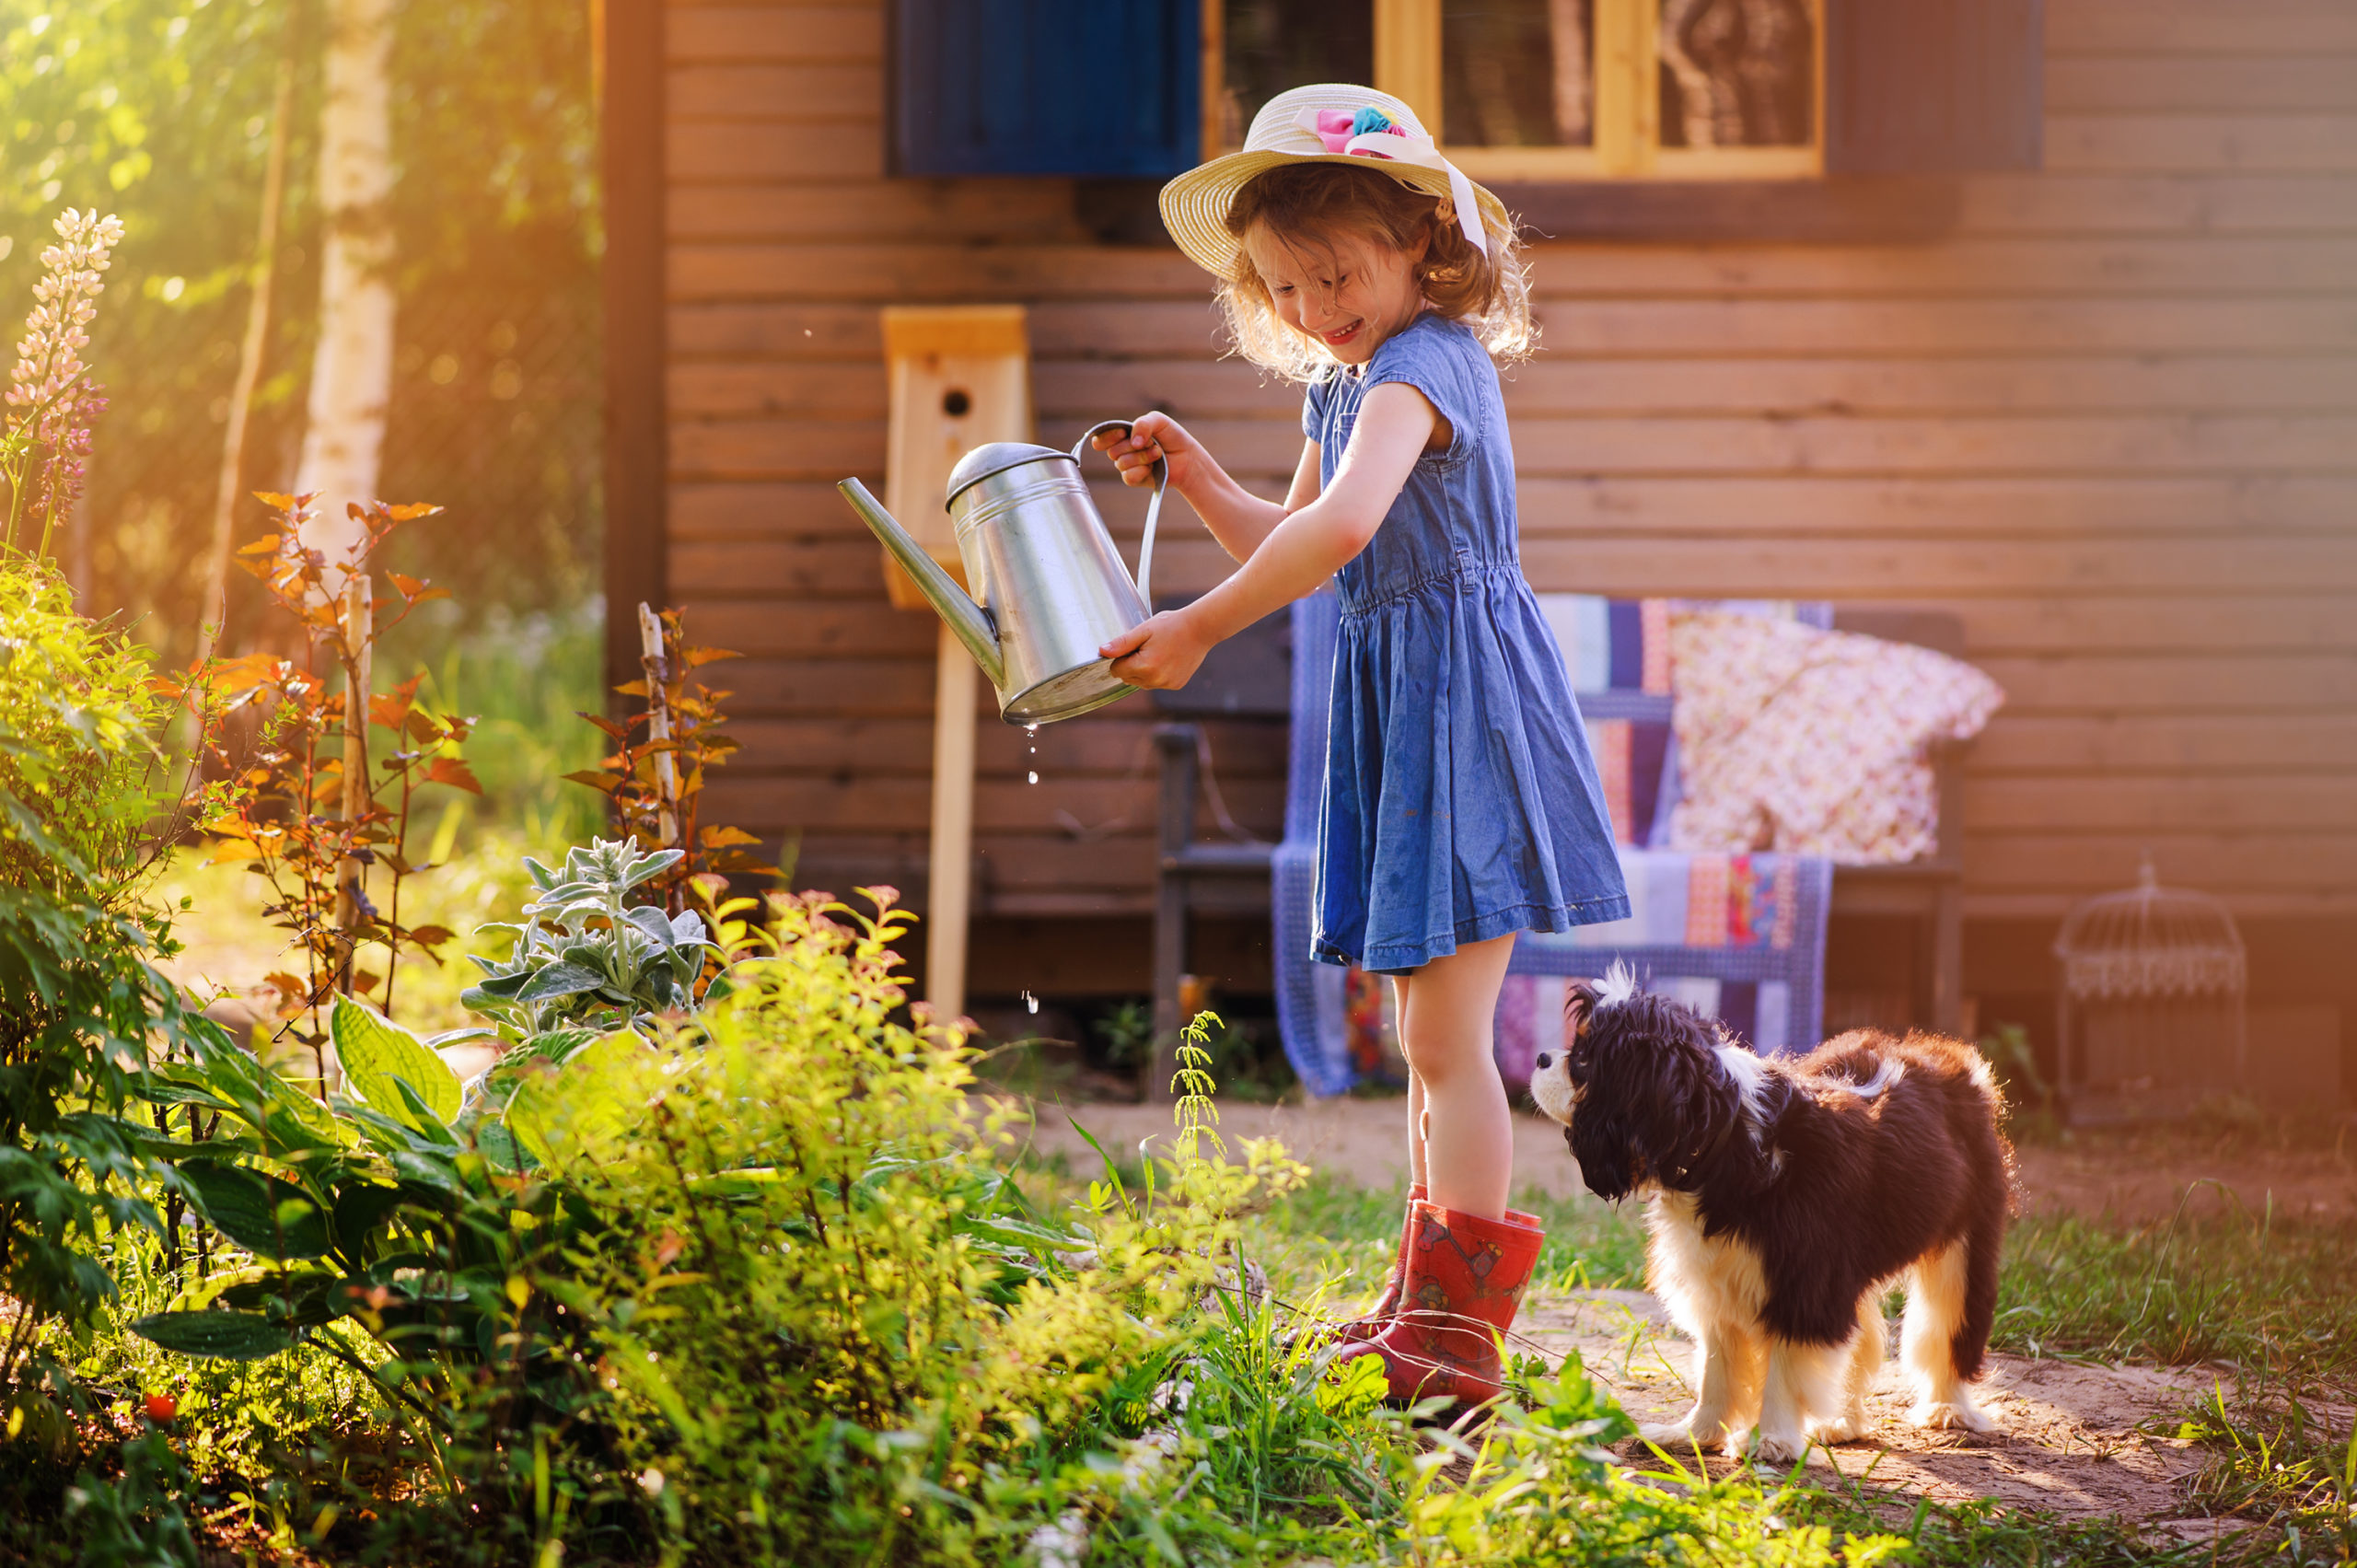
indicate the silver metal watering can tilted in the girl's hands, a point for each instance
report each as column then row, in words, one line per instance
column 1038, row 555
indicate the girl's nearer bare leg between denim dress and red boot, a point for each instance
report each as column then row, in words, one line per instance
column 1460, row 1128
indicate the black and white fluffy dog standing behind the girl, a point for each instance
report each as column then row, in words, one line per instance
column 1785, row 1197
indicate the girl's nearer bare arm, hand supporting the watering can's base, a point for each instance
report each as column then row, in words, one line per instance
column 1300, row 553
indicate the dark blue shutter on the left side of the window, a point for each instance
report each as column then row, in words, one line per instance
column 1085, row 88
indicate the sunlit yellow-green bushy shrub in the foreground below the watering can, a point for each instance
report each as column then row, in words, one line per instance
column 828, row 1315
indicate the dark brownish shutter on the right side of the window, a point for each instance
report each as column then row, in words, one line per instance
column 1934, row 86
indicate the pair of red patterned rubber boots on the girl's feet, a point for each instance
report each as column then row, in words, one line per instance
column 1465, row 1284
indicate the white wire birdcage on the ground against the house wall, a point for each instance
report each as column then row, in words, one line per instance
column 2153, row 989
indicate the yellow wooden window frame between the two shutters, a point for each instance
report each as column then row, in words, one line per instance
column 1628, row 72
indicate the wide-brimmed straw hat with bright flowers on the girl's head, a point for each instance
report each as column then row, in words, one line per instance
column 1326, row 124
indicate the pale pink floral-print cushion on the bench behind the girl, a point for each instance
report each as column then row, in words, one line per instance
column 1814, row 742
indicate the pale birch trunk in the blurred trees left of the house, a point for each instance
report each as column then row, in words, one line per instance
column 352, row 371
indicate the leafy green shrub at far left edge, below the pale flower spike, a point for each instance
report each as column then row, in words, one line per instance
column 79, row 996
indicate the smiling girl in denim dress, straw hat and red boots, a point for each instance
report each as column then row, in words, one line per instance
column 1460, row 801
